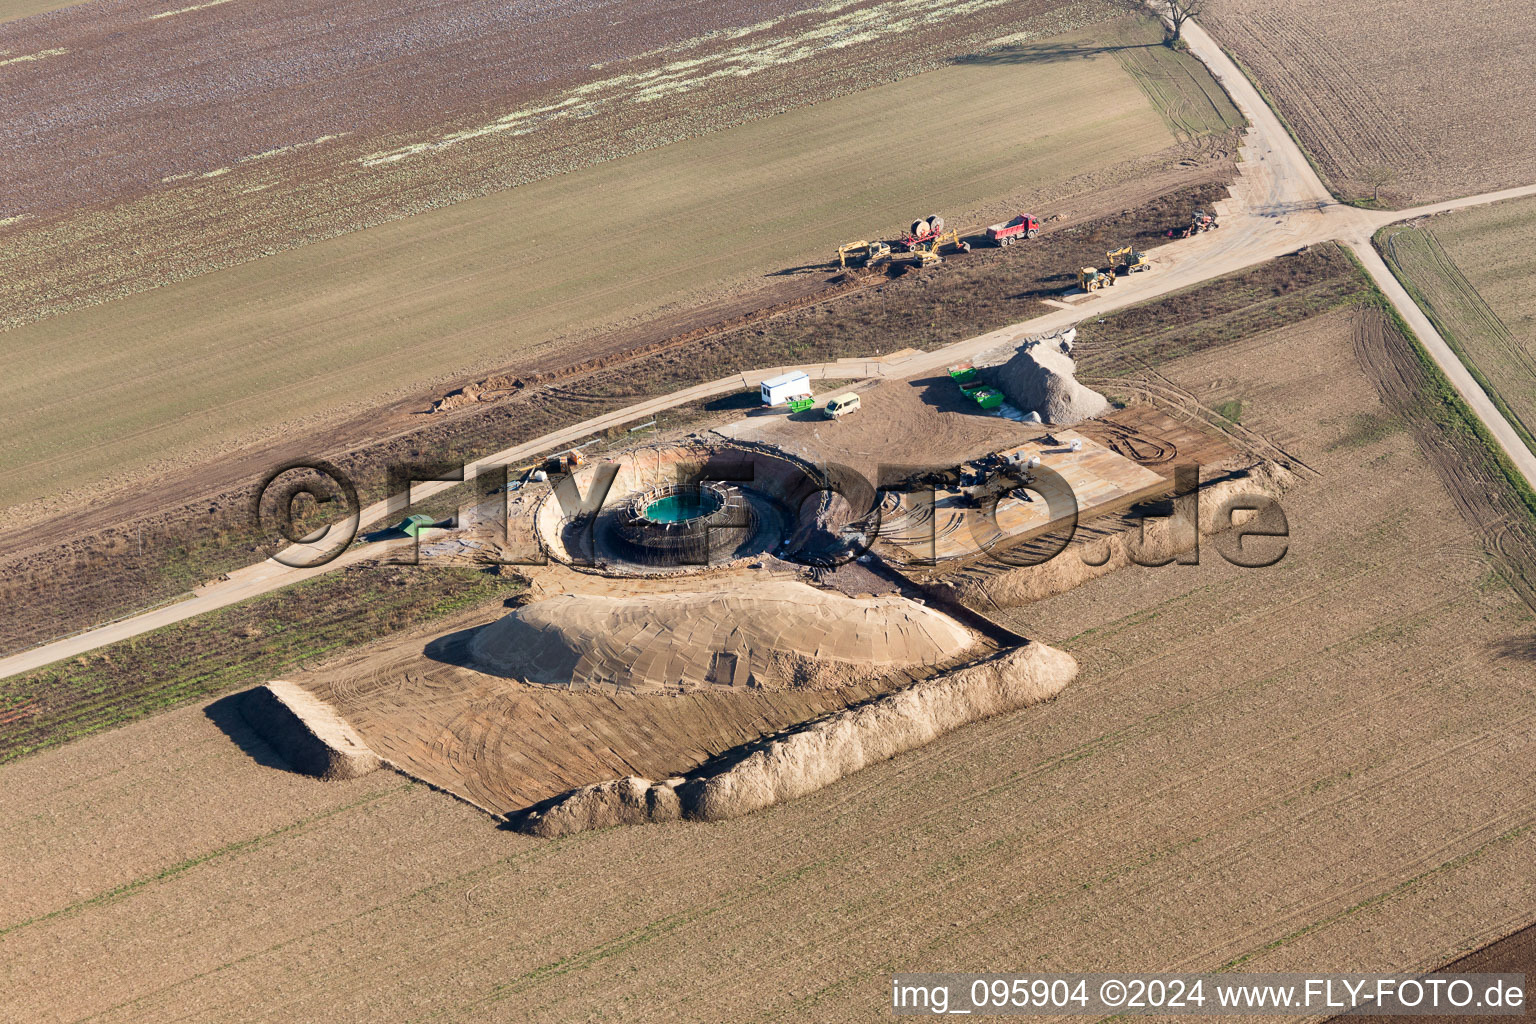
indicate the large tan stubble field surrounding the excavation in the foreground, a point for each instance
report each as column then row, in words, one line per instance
column 1256, row 768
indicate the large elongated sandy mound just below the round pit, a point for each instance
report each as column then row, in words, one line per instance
column 770, row 635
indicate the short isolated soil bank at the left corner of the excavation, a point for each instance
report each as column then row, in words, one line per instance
column 306, row 732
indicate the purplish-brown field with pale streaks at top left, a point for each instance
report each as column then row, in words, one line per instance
column 293, row 122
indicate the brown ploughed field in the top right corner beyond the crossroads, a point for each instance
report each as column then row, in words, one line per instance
column 1423, row 101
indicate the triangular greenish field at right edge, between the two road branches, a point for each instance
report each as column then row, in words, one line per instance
column 1471, row 271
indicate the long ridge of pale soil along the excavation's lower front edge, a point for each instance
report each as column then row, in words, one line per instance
column 819, row 753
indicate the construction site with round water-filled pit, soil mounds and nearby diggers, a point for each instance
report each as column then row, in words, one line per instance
column 743, row 613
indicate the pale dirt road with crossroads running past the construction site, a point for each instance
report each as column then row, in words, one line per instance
column 1277, row 206
